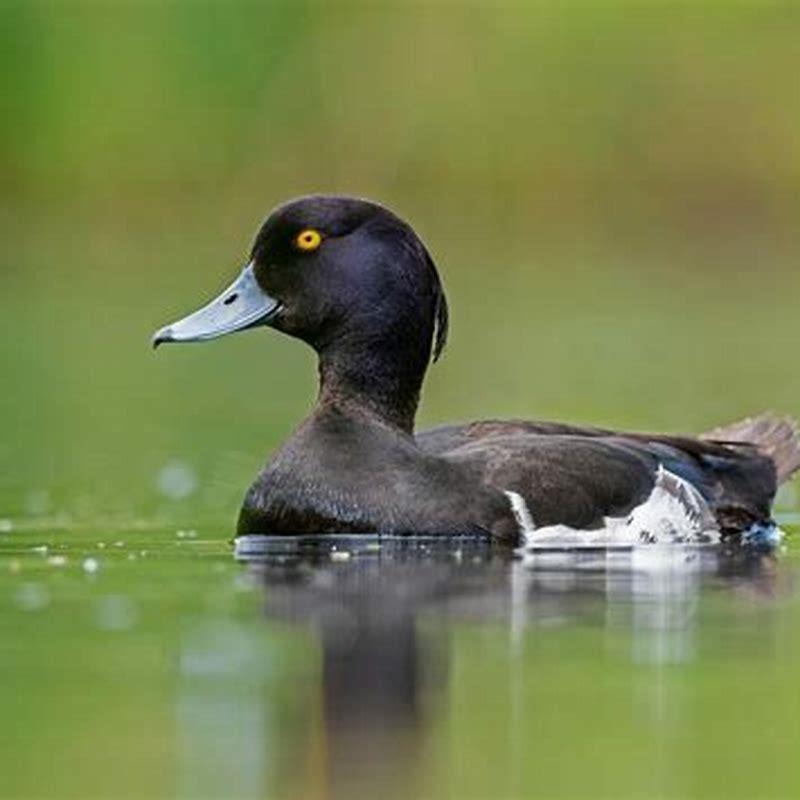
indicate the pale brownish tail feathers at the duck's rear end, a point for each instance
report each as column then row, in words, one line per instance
column 774, row 436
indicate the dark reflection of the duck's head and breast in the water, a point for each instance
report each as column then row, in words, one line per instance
column 384, row 655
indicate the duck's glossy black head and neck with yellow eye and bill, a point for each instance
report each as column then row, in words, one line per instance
column 351, row 279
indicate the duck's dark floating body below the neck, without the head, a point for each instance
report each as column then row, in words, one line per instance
column 344, row 472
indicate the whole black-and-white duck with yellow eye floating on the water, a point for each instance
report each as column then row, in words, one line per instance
column 353, row 280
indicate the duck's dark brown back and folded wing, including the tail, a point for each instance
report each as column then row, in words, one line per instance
column 578, row 477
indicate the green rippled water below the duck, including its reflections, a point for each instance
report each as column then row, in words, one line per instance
column 144, row 663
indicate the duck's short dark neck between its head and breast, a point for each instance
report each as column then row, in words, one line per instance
column 384, row 385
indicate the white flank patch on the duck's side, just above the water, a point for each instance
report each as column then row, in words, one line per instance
column 674, row 513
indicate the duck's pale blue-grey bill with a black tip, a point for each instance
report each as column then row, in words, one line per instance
column 244, row 304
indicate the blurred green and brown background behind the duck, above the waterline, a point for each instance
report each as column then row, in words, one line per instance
column 610, row 190
